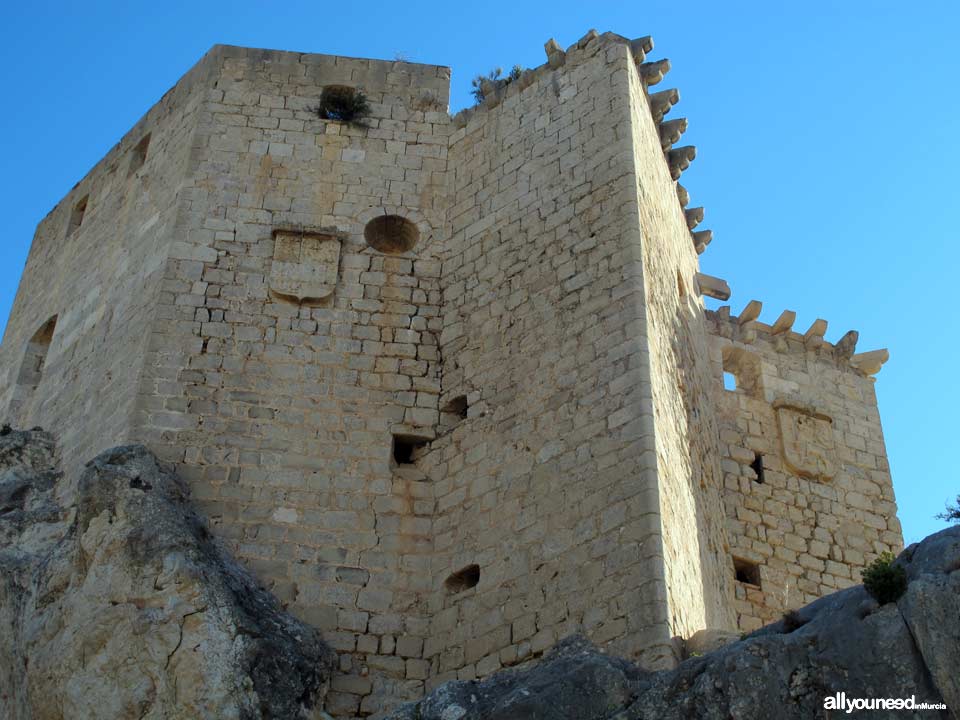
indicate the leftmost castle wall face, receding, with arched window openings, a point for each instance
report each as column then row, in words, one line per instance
column 100, row 280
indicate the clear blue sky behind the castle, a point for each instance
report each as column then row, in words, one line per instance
column 827, row 138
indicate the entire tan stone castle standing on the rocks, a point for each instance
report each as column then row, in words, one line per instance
column 447, row 385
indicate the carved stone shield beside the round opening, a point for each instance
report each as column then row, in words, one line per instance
column 305, row 264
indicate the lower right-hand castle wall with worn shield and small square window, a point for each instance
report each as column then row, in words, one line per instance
column 825, row 507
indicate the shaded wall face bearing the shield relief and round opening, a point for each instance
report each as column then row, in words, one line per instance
column 281, row 413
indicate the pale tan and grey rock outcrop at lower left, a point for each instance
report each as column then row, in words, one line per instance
column 121, row 605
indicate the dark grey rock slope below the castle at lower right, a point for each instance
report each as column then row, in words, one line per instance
column 844, row 642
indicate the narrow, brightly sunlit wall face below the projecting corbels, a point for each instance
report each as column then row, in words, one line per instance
column 681, row 412
